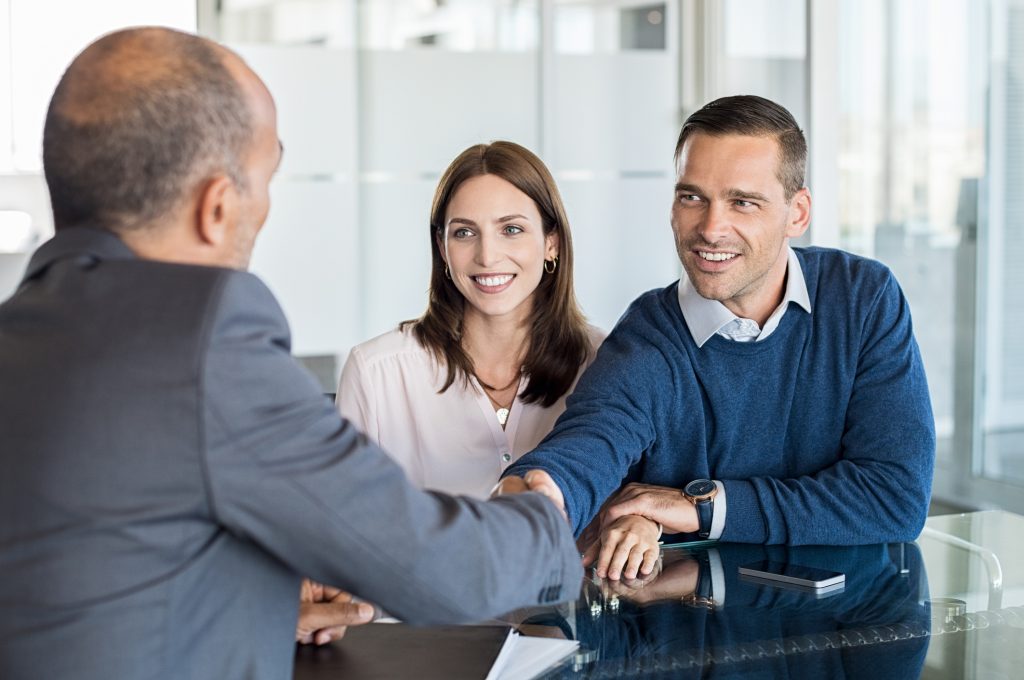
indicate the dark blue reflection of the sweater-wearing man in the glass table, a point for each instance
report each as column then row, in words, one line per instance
column 699, row 618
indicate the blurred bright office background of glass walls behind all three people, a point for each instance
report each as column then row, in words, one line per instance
column 914, row 112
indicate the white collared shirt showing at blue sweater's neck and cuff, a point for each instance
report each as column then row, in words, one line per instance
column 706, row 318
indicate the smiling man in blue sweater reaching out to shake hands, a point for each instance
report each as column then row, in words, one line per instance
column 774, row 395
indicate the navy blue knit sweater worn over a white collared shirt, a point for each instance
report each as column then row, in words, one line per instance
column 823, row 434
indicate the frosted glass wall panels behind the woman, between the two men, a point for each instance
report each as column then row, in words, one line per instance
column 592, row 88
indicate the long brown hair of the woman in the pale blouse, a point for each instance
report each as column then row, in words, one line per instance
column 559, row 339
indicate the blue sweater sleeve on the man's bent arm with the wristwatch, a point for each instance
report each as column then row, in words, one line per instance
column 879, row 489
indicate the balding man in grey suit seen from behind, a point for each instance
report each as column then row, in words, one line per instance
column 167, row 473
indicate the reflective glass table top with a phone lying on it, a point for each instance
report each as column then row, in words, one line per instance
column 949, row 606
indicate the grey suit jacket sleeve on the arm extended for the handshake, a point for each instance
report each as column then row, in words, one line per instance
column 284, row 472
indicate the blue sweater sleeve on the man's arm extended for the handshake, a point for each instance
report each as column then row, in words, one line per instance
column 610, row 420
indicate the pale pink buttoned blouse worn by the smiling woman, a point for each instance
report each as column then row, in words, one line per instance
column 450, row 442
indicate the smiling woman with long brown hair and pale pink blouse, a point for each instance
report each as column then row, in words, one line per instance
column 480, row 379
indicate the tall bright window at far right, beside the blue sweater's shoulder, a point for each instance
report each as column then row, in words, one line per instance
column 931, row 153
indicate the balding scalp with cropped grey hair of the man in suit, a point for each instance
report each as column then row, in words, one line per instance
column 140, row 120
